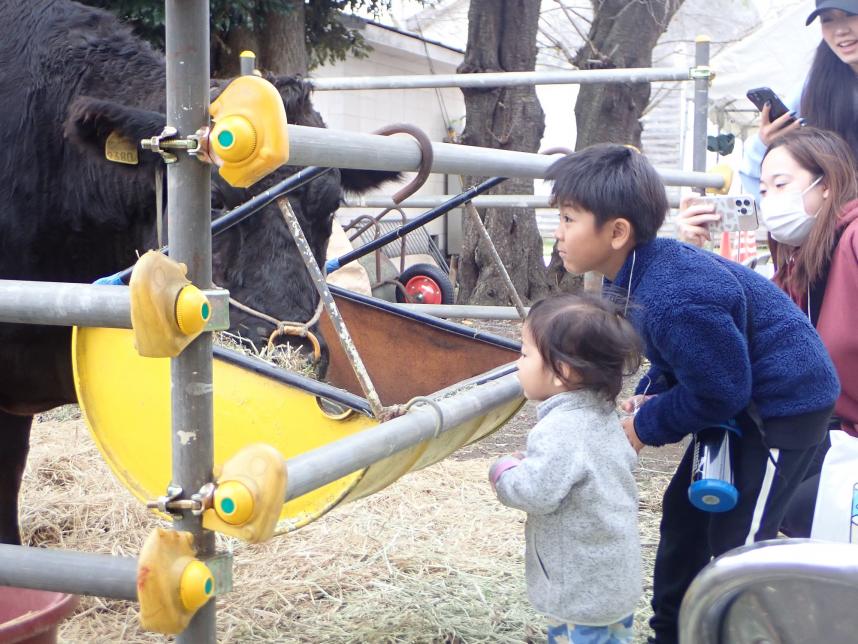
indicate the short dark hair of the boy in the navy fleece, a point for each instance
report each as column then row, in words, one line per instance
column 611, row 181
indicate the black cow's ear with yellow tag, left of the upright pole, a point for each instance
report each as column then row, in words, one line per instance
column 91, row 121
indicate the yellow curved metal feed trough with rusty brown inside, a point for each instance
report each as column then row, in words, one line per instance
column 126, row 400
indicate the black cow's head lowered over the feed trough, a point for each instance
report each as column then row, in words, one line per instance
column 256, row 260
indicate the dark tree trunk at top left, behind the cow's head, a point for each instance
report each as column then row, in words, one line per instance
column 280, row 45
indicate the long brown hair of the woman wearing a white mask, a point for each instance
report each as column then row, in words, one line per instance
column 824, row 154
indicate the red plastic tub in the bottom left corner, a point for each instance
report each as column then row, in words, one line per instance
column 32, row 616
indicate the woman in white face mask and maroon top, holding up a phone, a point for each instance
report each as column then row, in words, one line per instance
column 809, row 203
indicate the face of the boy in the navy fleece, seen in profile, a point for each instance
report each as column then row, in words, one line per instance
column 583, row 246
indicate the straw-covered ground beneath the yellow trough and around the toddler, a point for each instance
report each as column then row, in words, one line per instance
column 433, row 558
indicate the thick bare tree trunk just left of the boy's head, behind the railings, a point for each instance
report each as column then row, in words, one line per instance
column 502, row 37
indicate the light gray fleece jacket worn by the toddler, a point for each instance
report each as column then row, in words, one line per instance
column 577, row 486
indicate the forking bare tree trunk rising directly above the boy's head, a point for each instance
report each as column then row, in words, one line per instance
column 623, row 34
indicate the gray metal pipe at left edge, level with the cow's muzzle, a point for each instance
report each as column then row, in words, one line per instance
column 64, row 304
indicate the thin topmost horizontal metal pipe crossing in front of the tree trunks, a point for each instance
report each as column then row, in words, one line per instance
column 505, row 79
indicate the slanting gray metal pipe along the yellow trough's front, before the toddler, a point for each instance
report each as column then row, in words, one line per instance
column 311, row 470
